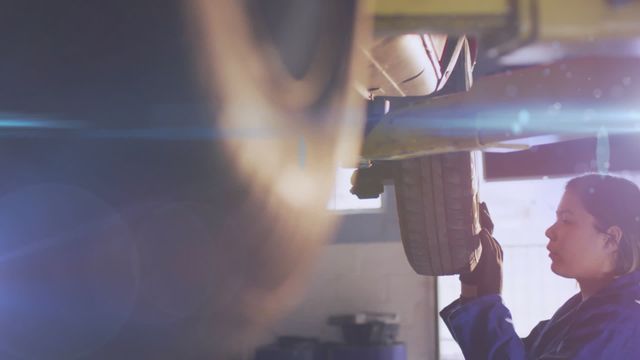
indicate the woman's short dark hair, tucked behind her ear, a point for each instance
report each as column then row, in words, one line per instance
column 613, row 201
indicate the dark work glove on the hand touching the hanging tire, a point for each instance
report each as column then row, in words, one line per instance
column 486, row 278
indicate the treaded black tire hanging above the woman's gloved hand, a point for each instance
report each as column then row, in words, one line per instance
column 437, row 202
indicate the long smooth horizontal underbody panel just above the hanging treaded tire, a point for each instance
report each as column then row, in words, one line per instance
column 514, row 110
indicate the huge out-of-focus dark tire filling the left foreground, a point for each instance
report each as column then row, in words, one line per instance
column 215, row 150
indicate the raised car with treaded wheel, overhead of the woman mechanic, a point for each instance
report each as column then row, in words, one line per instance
column 527, row 76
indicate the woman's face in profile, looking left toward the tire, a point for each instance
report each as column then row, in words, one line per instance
column 577, row 250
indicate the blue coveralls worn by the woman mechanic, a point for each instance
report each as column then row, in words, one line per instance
column 605, row 326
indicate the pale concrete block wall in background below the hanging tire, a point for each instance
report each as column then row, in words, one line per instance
column 366, row 277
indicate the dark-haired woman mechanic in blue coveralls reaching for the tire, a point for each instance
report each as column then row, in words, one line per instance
column 595, row 240
